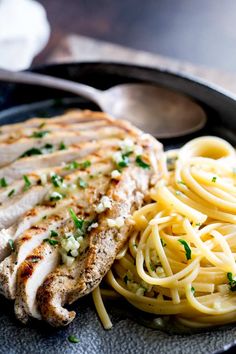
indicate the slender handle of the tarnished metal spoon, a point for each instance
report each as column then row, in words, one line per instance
column 25, row 77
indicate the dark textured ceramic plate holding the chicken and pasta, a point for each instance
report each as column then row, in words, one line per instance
column 129, row 334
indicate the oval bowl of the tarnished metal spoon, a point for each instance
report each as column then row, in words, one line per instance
column 156, row 110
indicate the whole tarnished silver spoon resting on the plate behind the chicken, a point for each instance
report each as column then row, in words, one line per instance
column 156, row 110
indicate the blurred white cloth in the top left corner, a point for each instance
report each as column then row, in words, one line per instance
column 24, row 31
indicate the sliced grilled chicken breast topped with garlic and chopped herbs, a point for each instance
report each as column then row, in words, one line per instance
column 68, row 186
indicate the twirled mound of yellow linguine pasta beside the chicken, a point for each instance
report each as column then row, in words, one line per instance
column 180, row 260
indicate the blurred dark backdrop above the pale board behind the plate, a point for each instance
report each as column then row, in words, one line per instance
column 200, row 31
